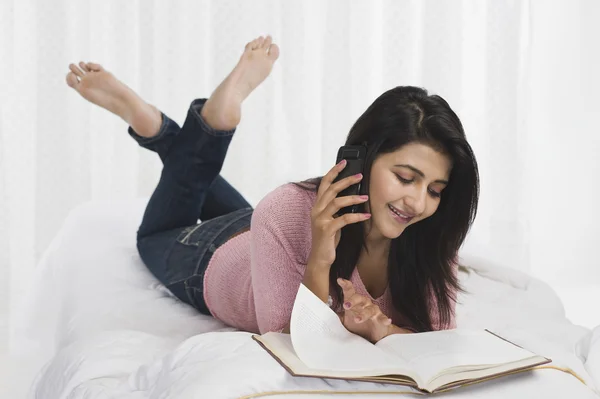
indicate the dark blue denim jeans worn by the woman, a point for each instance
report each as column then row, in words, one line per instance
column 174, row 247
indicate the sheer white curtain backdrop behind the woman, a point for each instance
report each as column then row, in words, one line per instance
column 522, row 76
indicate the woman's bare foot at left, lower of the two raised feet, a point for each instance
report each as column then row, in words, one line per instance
column 100, row 87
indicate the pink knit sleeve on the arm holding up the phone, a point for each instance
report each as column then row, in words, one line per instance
column 280, row 243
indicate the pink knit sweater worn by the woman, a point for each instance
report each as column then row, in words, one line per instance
column 251, row 281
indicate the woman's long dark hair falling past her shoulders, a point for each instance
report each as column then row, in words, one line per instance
column 421, row 259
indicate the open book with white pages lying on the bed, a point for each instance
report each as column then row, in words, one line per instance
column 320, row 346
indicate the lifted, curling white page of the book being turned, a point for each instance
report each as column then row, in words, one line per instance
column 321, row 341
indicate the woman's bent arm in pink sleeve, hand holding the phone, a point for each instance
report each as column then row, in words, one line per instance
column 286, row 227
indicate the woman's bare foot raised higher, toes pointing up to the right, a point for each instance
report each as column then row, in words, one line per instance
column 223, row 110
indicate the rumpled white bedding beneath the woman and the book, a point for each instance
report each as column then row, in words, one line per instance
column 102, row 327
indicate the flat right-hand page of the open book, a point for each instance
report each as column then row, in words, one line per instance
column 430, row 353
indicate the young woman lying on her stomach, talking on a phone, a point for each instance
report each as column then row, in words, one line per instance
column 391, row 268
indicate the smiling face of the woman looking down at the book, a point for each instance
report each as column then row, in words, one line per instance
column 405, row 188
